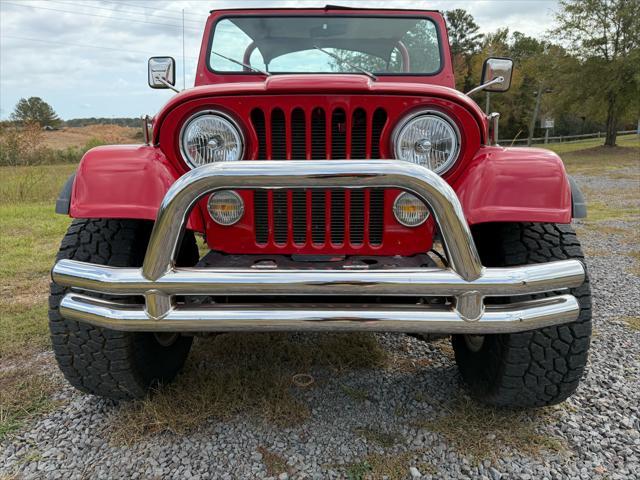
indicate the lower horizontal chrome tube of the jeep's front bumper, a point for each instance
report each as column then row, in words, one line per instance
column 516, row 317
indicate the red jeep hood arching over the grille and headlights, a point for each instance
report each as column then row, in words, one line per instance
column 319, row 84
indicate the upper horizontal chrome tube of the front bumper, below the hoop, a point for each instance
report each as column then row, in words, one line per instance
column 494, row 282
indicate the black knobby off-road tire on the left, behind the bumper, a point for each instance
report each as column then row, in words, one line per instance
column 113, row 364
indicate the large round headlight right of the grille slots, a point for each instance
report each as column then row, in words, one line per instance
column 429, row 139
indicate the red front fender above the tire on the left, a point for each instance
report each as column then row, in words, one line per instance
column 124, row 181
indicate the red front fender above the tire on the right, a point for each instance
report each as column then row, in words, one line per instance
column 515, row 185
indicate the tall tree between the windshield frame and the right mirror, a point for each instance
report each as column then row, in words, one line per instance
column 465, row 41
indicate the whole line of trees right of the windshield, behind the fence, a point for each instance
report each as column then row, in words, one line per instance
column 585, row 74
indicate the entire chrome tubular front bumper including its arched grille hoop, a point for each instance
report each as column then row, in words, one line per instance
column 466, row 281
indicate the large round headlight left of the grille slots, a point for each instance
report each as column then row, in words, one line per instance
column 210, row 137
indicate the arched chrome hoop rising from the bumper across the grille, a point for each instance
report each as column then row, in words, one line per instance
column 416, row 179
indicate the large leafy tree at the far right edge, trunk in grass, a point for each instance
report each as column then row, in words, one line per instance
column 605, row 35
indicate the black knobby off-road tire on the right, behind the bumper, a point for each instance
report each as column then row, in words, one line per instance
column 538, row 367
